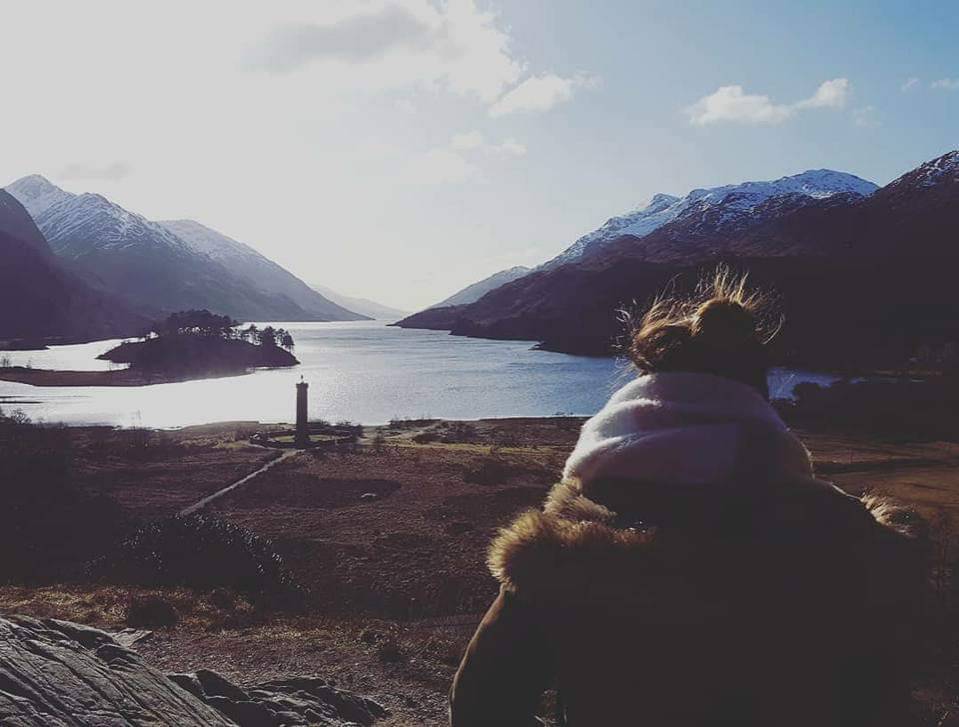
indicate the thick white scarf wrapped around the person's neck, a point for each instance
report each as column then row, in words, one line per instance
column 688, row 430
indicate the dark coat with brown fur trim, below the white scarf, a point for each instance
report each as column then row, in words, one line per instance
column 642, row 608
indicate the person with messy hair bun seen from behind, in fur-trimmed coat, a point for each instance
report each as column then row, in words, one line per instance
column 690, row 569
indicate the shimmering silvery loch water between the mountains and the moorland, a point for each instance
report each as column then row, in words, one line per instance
column 365, row 372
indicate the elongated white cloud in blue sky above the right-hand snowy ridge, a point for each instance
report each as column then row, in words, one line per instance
column 731, row 104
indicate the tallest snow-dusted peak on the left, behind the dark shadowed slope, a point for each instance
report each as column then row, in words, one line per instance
column 144, row 262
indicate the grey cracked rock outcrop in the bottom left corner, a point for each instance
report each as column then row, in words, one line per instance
column 57, row 673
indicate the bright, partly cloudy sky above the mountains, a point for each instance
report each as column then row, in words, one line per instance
column 402, row 149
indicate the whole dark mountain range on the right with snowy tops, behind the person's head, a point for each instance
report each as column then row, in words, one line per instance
column 863, row 273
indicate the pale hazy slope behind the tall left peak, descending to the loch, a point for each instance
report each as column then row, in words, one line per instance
column 259, row 271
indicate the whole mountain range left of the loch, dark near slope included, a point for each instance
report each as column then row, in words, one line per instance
column 119, row 270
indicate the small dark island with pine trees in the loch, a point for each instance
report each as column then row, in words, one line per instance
column 194, row 344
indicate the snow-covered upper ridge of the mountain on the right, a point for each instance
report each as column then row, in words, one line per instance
column 718, row 207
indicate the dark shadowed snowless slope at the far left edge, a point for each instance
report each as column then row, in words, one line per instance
column 39, row 299
